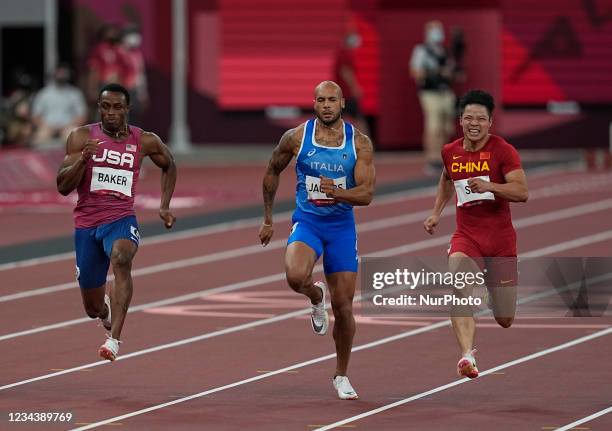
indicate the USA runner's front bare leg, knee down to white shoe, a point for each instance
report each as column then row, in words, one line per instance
column 122, row 255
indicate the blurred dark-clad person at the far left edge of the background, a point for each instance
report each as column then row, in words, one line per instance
column 16, row 118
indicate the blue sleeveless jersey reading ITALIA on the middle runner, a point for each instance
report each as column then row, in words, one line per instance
column 314, row 160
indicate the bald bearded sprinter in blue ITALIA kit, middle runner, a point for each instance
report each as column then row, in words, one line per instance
column 335, row 171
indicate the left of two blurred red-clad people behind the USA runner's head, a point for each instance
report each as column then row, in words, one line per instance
column 107, row 62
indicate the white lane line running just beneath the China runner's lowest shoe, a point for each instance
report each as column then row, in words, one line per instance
column 518, row 361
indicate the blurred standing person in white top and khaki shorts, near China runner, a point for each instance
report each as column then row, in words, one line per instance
column 433, row 71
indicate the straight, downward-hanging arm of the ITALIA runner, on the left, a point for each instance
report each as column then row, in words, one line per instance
column 281, row 156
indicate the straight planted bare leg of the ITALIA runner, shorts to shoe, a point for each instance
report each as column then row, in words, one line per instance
column 342, row 289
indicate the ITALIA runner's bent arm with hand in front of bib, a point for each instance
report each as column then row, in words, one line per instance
column 365, row 176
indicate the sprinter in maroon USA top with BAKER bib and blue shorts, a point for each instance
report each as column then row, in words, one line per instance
column 102, row 162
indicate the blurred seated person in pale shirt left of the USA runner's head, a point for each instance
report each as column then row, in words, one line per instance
column 57, row 109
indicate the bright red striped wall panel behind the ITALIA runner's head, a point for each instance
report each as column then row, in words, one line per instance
column 272, row 54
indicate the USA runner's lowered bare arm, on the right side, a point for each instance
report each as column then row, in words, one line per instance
column 159, row 153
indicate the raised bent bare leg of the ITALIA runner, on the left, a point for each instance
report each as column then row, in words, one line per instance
column 299, row 262
